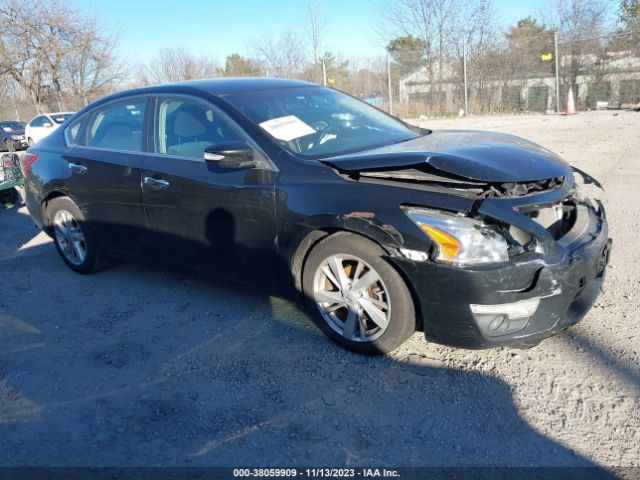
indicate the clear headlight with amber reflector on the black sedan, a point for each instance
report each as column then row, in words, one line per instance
column 460, row 240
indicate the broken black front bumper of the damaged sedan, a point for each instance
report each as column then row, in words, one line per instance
column 518, row 303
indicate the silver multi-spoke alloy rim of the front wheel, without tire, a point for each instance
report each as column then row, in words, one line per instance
column 352, row 298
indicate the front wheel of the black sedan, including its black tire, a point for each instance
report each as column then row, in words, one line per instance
column 381, row 295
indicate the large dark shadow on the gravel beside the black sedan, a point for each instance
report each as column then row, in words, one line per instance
column 140, row 365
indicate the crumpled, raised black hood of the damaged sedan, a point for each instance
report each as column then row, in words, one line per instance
column 476, row 155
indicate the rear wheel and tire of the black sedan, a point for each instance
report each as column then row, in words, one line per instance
column 64, row 215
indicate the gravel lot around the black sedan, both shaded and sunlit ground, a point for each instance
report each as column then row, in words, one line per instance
column 142, row 366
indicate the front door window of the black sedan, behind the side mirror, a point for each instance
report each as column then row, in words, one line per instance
column 186, row 127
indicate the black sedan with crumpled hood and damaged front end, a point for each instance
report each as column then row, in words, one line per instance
column 477, row 239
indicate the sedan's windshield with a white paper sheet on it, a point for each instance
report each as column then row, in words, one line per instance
column 315, row 122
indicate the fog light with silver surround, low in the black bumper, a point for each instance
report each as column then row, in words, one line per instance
column 505, row 318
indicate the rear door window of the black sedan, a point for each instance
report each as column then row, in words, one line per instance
column 117, row 126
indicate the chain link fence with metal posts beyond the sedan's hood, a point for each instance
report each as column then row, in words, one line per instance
column 533, row 74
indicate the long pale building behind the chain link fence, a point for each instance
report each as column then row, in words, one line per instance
column 614, row 78
